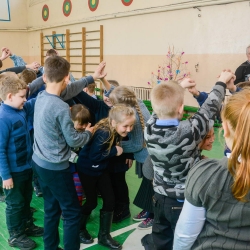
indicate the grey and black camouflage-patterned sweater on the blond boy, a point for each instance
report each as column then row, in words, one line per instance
column 173, row 149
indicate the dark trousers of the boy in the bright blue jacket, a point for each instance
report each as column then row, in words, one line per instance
column 18, row 201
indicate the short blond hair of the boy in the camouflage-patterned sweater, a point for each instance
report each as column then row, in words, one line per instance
column 166, row 98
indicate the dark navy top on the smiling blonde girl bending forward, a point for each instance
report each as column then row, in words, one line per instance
column 93, row 158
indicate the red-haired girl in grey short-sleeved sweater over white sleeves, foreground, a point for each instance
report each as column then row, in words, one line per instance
column 217, row 194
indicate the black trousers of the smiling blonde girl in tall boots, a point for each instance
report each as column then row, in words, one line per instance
column 90, row 185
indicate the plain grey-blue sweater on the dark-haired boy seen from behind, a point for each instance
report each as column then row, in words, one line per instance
column 54, row 132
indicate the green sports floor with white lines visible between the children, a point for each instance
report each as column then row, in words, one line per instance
column 121, row 230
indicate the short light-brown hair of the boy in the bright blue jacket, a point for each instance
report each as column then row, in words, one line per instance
column 9, row 83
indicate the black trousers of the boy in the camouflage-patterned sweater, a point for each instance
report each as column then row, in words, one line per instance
column 166, row 215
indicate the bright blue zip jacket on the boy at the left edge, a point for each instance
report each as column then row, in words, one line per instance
column 15, row 143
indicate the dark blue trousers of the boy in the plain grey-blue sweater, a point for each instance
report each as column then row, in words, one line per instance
column 59, row 198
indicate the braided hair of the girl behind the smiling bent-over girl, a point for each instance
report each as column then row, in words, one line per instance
column 124, row 95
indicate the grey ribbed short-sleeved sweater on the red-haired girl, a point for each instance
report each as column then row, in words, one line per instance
column 227, row 222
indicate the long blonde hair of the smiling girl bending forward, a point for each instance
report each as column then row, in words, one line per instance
column 117, row 113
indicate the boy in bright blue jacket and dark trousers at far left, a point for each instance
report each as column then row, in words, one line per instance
column 15, row 161
